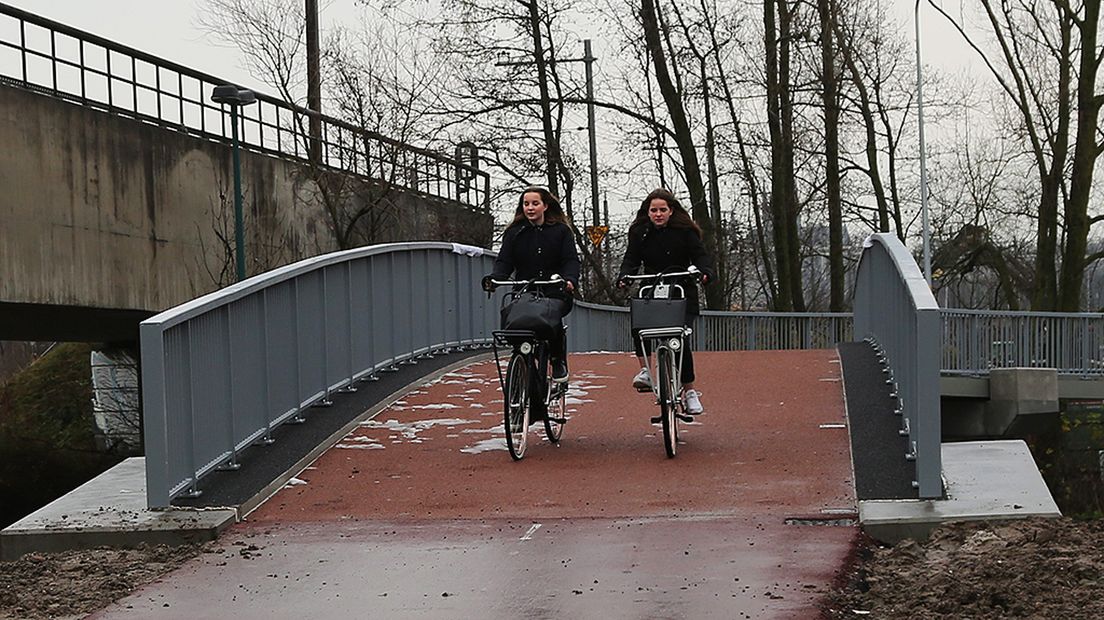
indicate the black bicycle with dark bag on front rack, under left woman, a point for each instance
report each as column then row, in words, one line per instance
column 526, row 390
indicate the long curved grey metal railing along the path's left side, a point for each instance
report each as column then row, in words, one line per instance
column 220, row 373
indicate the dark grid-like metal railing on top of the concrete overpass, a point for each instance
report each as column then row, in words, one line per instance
column 57, row 60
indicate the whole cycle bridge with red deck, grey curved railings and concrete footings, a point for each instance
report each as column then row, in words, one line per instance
column 395, row 494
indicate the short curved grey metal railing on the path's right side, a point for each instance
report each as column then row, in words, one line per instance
column 895, row 309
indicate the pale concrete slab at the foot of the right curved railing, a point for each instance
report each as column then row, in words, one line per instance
column 984, row 480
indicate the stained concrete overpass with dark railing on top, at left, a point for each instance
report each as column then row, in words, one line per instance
column 118, row 201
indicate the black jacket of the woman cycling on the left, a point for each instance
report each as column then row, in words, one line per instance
column 537, row 253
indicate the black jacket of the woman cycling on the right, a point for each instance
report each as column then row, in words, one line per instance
column 660, row 250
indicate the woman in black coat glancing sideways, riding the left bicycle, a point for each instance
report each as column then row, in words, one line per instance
column 537, row 245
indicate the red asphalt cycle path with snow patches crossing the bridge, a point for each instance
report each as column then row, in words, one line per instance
column 420, row 512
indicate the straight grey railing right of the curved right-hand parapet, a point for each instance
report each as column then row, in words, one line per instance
column 976, row 341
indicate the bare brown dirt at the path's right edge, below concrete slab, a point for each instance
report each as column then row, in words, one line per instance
column 1033, row 569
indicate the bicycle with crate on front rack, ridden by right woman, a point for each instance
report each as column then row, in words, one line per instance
column 660, row 320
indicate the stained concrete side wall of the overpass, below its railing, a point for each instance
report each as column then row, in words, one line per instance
column 102, row 211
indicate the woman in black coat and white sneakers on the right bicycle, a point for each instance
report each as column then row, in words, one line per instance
column 665, row 238
